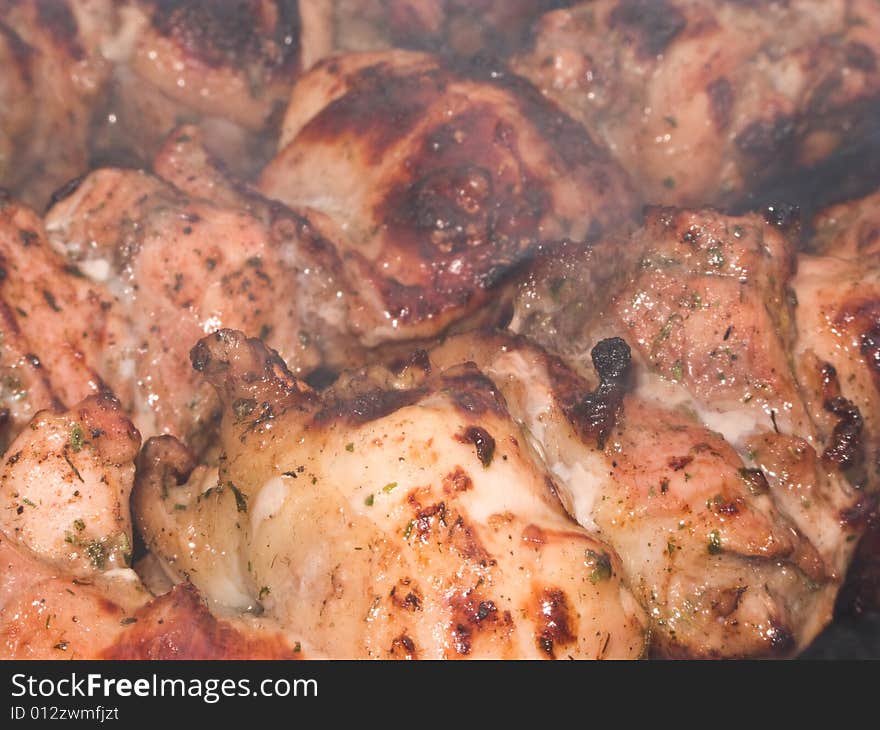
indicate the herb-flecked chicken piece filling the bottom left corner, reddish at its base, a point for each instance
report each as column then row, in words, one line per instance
column 66, row 589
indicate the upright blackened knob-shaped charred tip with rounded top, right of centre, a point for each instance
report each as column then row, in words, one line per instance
column 595, row 414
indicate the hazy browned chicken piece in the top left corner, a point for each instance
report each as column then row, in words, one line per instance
column 51, row 75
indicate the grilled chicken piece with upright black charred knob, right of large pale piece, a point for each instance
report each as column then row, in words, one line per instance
column 720, row 568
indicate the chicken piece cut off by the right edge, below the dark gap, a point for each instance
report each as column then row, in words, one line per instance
column 838, row 357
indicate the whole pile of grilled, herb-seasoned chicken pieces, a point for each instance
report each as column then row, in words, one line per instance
column 415, row 372
